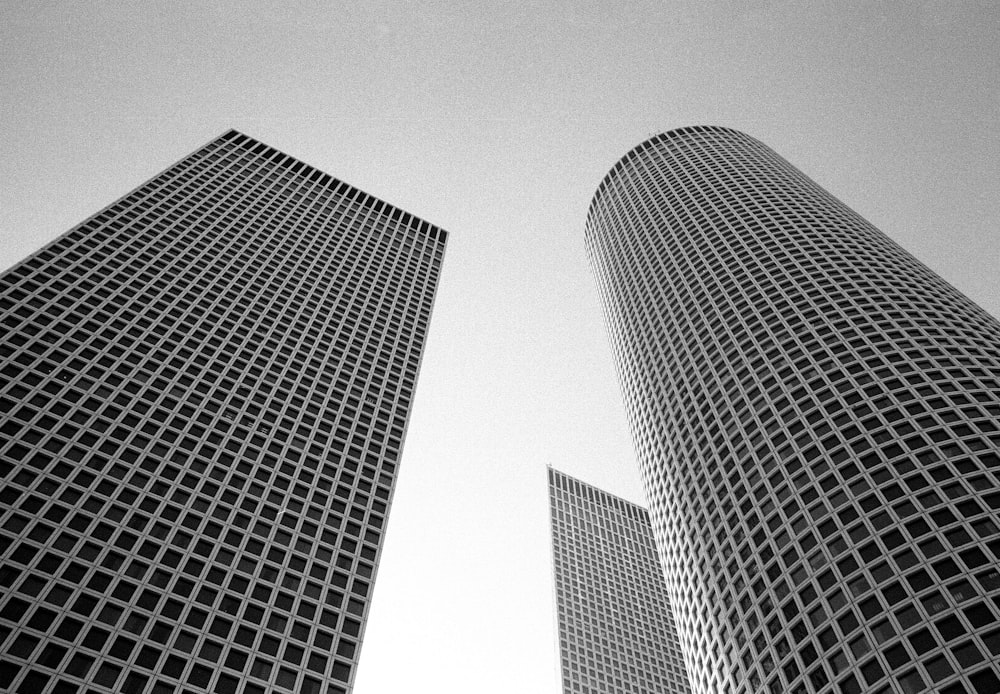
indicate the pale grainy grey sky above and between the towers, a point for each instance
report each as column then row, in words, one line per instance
column 497, row 121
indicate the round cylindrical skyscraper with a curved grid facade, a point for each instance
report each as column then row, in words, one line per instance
column 816, row 418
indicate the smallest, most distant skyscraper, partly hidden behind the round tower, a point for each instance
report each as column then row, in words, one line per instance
column 616, row 632
